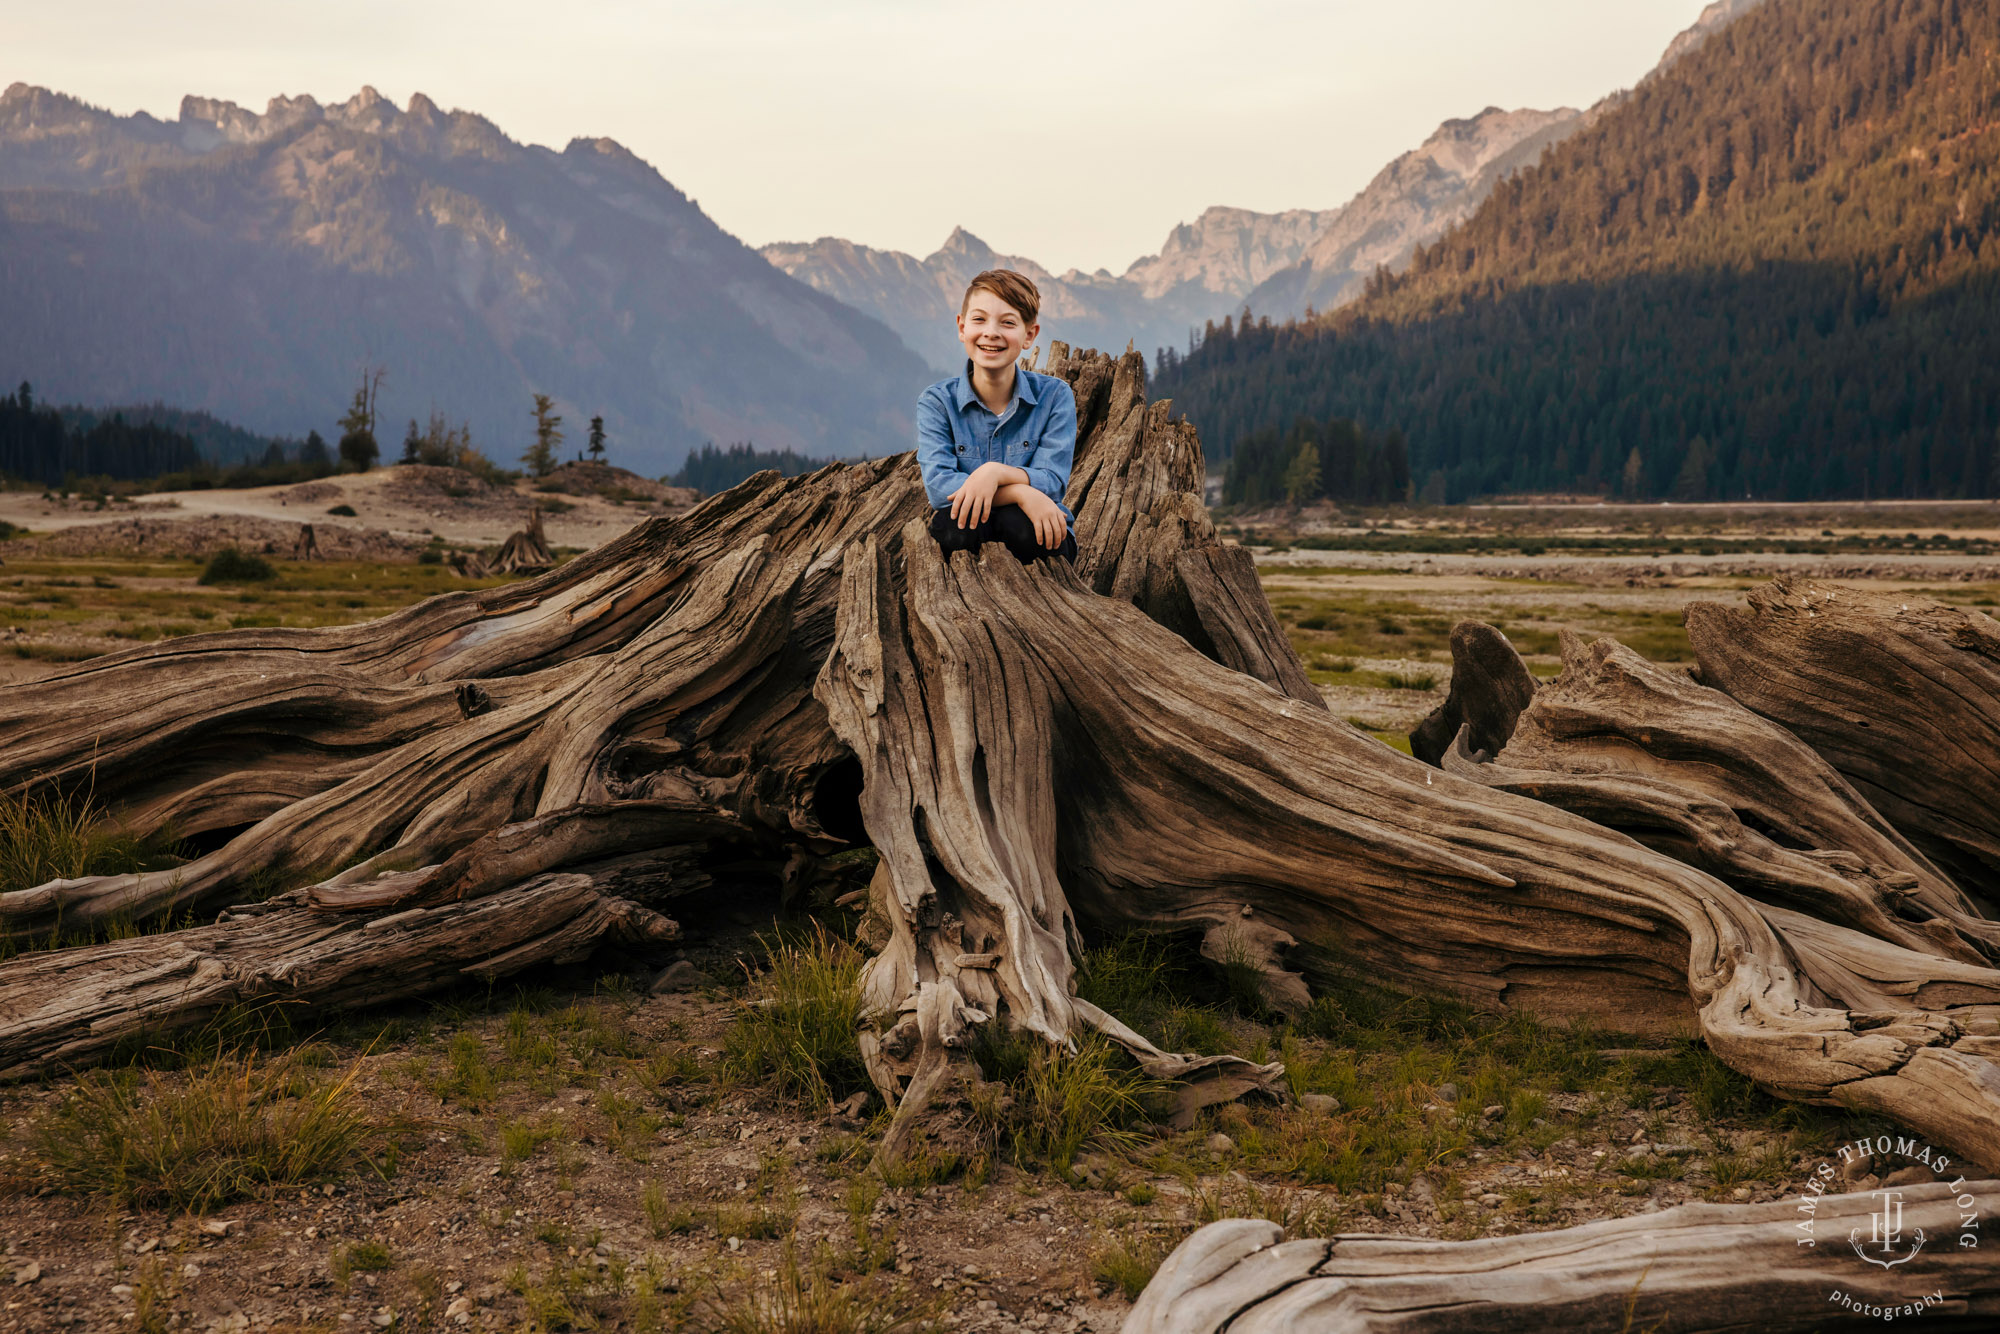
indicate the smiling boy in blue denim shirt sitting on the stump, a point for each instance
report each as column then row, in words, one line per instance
column 995, row 443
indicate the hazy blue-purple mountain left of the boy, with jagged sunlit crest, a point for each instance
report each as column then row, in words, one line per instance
column 253, row 265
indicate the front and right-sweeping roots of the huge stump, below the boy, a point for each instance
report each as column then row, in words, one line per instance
column 1001, row 703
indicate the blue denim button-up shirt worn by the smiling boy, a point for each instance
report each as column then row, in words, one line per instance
column 957, row 433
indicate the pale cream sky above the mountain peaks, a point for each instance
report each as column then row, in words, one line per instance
column 1073, row 133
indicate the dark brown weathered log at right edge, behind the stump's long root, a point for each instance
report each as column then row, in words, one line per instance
column 1895, row 691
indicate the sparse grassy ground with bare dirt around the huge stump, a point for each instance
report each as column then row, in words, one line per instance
column 575, row 1151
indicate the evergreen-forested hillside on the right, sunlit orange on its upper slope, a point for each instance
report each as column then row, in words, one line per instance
column 1771, row 271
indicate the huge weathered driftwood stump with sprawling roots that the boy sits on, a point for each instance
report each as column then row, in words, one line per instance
column 1035, row 751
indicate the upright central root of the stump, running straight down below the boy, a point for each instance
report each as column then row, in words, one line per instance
column 959, row 751
